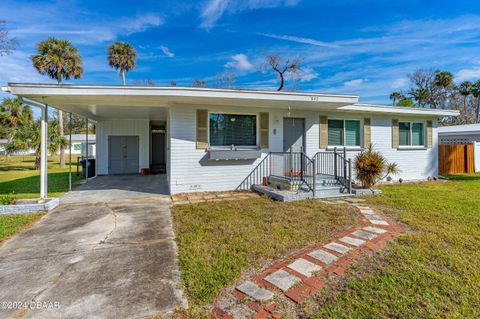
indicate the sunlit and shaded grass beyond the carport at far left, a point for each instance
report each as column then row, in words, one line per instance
column 19, row 177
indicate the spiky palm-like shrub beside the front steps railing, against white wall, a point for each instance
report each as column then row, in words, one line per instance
column 371, row 166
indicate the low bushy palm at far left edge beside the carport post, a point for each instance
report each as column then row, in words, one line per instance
column 13, row 115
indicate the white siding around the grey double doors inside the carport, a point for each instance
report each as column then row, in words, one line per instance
column 140, row 128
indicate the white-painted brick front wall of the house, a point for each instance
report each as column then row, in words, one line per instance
column 191, row 171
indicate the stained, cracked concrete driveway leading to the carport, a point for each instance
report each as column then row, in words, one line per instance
column 105, row 258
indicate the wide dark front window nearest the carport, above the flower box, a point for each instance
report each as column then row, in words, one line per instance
column 233, row 129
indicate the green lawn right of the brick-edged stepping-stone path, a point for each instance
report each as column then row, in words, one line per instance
column 432, row 272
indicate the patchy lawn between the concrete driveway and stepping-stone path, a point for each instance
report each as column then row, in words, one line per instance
column 220, row 241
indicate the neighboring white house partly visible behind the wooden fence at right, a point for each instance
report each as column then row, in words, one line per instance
column 462, row 134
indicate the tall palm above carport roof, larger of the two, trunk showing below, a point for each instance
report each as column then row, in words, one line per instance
column 59, row 59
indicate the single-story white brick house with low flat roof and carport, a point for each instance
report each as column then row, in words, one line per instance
column 218, row 139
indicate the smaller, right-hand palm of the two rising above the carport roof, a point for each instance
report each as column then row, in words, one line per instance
column 121, row 56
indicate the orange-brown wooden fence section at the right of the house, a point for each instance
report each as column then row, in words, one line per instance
column 455, row 159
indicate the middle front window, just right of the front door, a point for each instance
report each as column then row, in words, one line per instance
column 343, row 133
